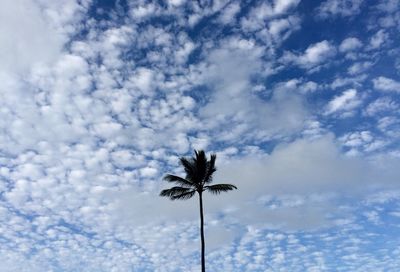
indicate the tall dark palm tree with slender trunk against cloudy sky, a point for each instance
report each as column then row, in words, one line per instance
column 199, row 174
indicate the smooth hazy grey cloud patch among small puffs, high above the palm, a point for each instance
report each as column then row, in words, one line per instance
column 230, row 76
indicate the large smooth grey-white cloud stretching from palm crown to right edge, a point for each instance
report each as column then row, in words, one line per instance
column 302, row 167
